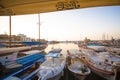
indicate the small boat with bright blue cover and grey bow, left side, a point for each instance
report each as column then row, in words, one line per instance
column 24, row 61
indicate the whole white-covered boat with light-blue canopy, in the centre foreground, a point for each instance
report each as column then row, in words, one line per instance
column 52, row 69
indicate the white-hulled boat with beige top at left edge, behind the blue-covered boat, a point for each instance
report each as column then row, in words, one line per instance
column 10, row 54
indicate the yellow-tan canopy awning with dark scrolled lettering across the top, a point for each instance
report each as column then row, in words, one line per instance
column 20, row 7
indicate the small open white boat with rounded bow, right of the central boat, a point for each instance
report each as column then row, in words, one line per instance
column 76, row 67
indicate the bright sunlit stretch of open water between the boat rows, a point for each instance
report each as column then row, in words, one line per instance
column 63, row 46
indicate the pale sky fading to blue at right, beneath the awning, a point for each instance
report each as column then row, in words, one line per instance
column 75, row 24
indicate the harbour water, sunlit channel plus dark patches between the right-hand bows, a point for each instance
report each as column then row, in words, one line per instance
column 67, row 74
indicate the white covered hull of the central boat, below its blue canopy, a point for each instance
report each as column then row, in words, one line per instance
column 49, row 69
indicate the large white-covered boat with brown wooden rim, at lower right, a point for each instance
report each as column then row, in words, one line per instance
column 98, row 65
